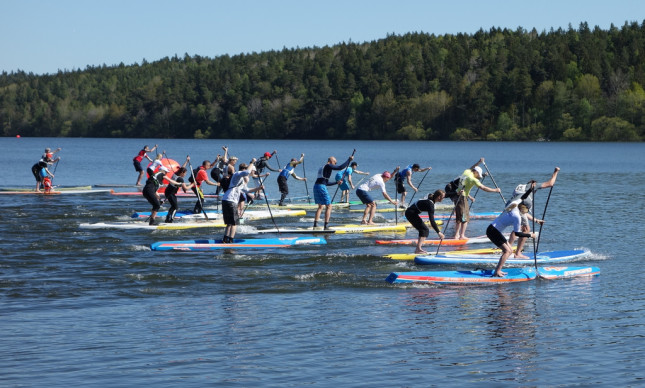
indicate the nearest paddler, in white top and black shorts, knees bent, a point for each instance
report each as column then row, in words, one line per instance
column 511, row 216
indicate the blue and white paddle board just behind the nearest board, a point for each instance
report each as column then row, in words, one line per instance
column 449, row 258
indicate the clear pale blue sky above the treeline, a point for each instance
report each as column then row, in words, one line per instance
column 43, row 36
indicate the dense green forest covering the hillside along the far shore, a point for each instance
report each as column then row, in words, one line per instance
column 501, row 84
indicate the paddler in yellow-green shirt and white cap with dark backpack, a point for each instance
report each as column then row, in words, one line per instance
column 458, row 191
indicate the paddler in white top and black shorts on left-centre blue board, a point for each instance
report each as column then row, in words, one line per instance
column 231, row 198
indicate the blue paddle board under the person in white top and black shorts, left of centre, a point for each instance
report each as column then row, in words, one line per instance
column 259, row 243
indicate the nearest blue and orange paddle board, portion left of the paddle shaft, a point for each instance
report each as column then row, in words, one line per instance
column 479, row 276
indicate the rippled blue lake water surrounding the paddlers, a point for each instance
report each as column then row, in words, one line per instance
column 97, row 307
